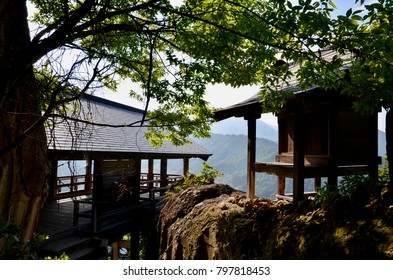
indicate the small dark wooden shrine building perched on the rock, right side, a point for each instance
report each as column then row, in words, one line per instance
column 320, row 135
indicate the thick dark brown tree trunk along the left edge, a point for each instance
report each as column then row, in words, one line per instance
column 23, row 169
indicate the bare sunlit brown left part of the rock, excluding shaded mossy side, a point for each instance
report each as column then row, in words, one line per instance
column 210, row 222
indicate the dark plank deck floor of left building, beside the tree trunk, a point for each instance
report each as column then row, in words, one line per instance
column 57, row 216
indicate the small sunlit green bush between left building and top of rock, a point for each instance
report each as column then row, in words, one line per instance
column 207, row 176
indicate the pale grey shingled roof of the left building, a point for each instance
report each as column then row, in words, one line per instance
column 117, row 138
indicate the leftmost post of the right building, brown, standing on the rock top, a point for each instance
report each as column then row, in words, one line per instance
column 251, row 123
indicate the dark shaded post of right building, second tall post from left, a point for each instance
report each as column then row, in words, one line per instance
column 298, row 161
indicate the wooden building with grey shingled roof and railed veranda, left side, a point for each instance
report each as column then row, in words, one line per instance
column 111, row 195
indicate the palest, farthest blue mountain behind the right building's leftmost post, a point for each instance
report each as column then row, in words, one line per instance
column 238, row 126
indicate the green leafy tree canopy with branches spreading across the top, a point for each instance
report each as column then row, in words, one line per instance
column 173, row 51
